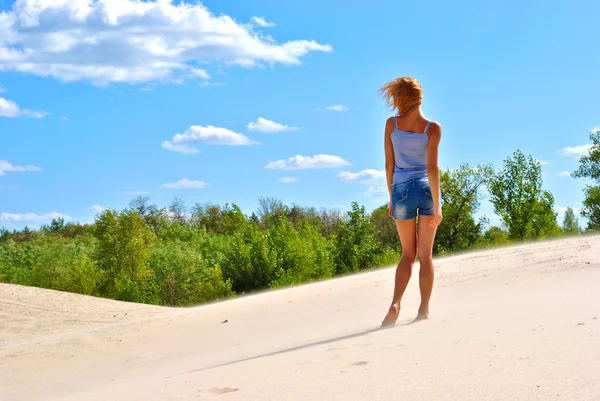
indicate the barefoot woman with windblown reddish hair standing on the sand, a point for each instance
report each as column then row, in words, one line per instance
column 411, row 164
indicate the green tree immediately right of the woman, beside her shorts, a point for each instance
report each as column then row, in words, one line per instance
column 461, row 193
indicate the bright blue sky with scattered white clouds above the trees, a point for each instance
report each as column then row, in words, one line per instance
column 232, row 101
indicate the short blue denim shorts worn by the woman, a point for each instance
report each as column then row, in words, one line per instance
column 411, row 198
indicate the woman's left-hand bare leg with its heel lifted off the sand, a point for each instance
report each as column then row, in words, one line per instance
column 407, row 233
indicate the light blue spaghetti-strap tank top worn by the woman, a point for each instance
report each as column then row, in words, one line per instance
column 410, row 154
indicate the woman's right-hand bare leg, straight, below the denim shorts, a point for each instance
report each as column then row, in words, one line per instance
column 426, row 272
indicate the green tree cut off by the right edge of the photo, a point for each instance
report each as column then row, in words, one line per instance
column 589, row 167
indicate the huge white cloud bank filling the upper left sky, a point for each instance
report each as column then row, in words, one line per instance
column 132, row 41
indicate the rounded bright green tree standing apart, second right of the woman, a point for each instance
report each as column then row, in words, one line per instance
column 518, row 198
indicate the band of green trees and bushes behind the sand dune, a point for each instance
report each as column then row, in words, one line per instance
column 180, row 255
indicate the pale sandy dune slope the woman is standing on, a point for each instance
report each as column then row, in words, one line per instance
column 519, row 323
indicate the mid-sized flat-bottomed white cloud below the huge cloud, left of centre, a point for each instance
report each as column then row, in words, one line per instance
column 209, row 135
